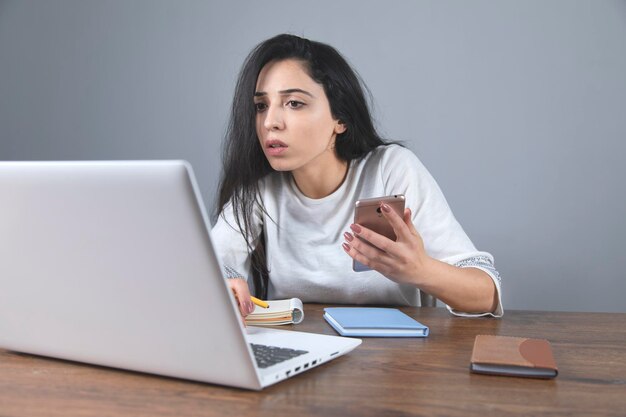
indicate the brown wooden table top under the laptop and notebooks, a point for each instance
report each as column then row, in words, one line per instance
column 382, row 377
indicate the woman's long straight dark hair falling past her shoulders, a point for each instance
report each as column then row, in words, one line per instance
column 244, row 162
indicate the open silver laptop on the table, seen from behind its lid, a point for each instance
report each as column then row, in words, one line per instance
column 112, row 263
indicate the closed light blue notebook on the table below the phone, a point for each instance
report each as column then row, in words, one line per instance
column 373, row 322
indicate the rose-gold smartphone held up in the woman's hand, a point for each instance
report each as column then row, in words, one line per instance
column 367, row 212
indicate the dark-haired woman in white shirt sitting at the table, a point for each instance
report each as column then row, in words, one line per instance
column 300, row 150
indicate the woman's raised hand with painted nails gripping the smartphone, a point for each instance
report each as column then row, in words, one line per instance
column 402, row 261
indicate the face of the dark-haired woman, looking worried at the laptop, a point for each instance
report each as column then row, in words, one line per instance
column 293, row 119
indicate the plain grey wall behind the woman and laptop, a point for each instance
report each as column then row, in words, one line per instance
column 516, row 107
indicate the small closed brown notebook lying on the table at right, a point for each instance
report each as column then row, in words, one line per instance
column 513, row 356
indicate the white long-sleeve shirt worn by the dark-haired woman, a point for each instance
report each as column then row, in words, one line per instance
column 303, row 236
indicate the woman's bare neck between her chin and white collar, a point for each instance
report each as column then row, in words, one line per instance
column 320, row 182
